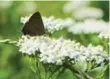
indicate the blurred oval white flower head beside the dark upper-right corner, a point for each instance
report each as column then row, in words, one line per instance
column 88, row 12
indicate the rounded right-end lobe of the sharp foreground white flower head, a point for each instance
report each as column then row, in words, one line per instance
column 95, row 53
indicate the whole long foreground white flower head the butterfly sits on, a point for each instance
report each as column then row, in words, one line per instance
column 58, row 51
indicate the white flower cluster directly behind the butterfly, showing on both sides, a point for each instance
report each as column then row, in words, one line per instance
column 52, row 24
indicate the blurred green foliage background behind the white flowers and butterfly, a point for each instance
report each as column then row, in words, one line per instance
column 12, row 64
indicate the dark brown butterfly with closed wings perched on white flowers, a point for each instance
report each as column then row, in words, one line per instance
column 34, row 26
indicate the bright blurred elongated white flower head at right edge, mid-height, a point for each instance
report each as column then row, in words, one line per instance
column 89, row 26
